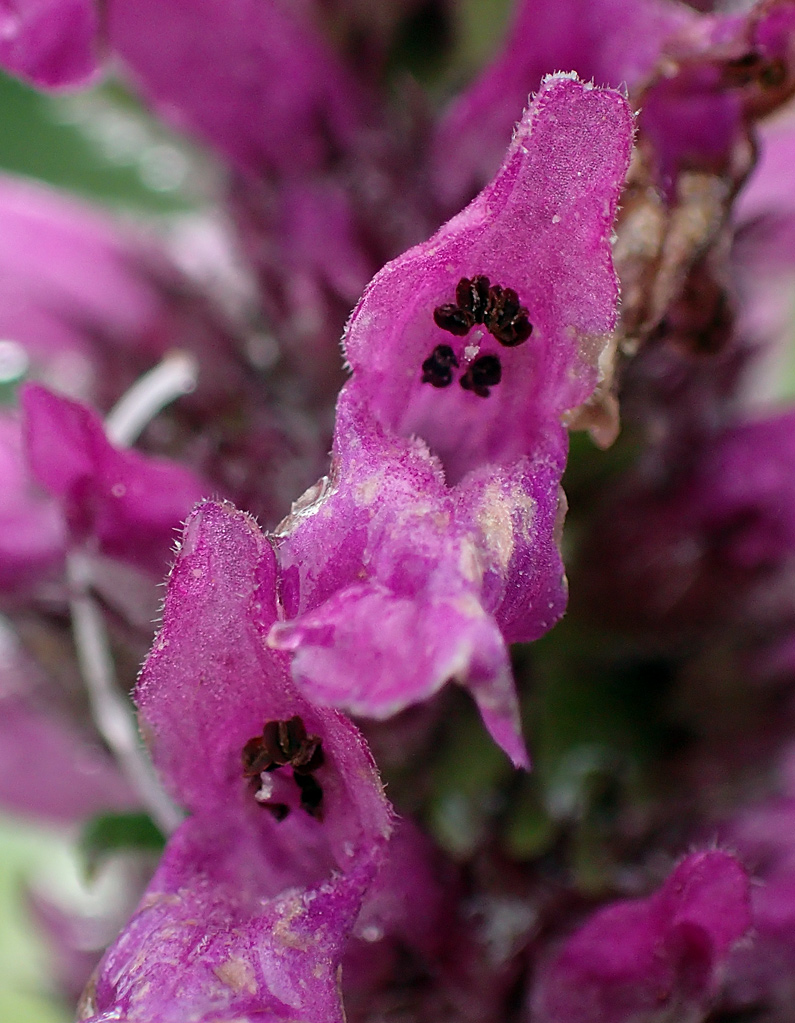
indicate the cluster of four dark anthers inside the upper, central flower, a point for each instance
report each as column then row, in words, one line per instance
column 500, row 312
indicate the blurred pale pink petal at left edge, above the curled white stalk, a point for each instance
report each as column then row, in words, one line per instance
column 70, row 277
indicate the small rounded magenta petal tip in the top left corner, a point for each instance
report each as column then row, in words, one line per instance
column 53, row 43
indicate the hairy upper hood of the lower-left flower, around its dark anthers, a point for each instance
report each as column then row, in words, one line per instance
column 210, row 683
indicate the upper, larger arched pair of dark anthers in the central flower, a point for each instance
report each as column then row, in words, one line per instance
column 478, row 302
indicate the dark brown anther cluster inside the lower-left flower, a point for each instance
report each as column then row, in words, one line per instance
column 287, row 744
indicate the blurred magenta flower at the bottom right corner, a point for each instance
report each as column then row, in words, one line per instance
column 655, row 959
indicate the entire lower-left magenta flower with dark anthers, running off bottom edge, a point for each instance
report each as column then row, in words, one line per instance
column 249, row 912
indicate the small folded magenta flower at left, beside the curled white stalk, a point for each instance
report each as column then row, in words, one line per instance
column 130, row 503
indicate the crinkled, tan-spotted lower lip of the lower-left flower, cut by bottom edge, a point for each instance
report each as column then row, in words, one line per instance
column 214, row 940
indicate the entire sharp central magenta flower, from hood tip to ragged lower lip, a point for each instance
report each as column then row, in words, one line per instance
column 433, row 546
